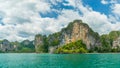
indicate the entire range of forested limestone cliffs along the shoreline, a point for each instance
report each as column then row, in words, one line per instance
column 77, row 37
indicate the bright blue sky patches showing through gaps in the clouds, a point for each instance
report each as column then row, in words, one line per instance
column 96, row 5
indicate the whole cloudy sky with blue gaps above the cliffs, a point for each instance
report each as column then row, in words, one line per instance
column 23, row 19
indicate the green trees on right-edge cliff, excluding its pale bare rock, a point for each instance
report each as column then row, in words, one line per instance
column 107, row 42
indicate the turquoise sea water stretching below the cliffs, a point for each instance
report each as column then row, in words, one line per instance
column 32, row 60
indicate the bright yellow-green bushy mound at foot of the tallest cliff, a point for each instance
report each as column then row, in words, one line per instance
column 73, row 47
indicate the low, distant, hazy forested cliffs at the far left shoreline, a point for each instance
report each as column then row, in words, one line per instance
column 20, row 47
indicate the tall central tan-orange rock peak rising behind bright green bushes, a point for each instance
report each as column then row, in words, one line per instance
column 78, row 30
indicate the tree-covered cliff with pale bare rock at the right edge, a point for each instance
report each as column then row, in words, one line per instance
column 111, row 41
